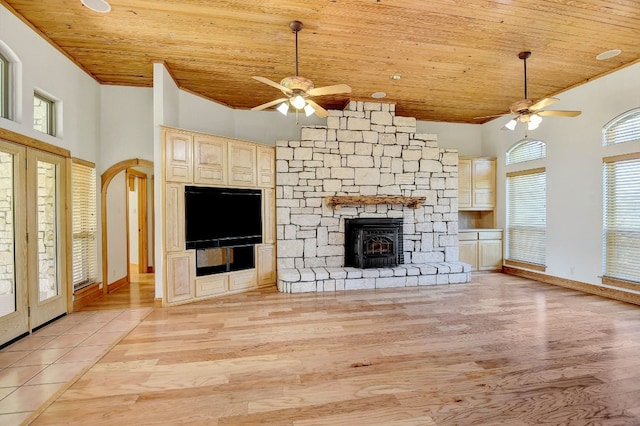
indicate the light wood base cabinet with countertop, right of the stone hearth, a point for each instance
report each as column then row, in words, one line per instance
column 482, row 249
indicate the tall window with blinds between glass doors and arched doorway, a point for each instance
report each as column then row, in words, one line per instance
column 84, row 224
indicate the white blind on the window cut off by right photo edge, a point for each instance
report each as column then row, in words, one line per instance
column 621, row 218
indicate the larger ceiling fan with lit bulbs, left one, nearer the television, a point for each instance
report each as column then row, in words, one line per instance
column 298, row 90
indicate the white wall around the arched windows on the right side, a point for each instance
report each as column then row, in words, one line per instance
column 574, row 169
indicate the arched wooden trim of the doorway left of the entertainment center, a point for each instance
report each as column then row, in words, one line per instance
column 106, row 178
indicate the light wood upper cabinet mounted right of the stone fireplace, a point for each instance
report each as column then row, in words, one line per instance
column 476, row 183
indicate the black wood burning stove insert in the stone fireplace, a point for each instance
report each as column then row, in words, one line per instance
column 373, row 242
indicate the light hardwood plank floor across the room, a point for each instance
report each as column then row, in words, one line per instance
column 500, row 350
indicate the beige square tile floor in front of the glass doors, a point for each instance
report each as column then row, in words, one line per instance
column 35, row 370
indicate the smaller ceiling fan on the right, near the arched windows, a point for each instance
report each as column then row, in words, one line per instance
column 529, row 112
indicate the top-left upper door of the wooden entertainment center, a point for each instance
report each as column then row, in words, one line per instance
column 178, row 157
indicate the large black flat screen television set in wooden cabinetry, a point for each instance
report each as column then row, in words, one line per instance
column 222, row 217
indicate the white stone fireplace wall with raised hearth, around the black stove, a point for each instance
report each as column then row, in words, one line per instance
column 375, row 159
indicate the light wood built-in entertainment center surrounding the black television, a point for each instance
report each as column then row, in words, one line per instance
column 192, row 158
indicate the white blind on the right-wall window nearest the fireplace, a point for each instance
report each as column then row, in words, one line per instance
column 527, row 216
